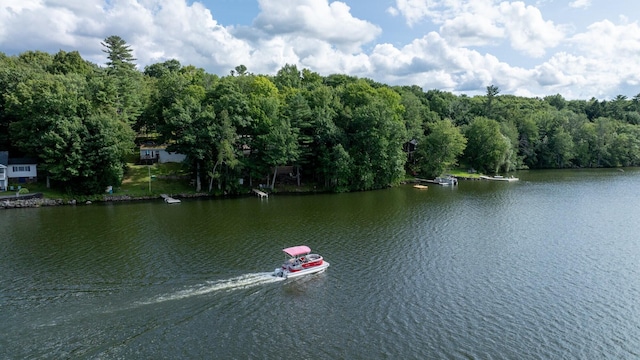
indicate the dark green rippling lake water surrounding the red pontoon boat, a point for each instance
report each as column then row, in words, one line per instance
column 547, row 267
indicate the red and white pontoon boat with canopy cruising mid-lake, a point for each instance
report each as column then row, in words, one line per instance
column 300, row 261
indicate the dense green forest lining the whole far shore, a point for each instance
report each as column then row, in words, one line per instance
column 343, row 133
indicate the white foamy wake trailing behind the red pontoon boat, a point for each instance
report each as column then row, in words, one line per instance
column 239, row 282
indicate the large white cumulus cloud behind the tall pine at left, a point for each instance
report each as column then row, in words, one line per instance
column 157, row 30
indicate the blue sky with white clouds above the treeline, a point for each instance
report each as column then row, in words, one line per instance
column 576, row 48
